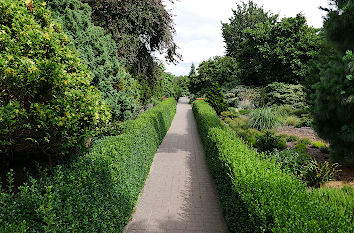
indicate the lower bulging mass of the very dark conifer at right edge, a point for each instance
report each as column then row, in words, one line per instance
column 333, row 109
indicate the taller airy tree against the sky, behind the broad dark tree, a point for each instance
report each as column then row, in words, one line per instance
column 246, row 16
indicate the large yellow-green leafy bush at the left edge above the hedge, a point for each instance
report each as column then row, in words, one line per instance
column 49, row 105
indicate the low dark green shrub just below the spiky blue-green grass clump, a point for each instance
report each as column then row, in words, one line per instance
column 268, row 141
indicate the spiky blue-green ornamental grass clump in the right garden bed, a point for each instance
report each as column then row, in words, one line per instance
column 265, row 118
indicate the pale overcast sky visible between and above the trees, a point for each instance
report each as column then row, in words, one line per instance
column 198, row 25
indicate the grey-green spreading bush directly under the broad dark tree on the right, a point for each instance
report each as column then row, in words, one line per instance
column 285, row 94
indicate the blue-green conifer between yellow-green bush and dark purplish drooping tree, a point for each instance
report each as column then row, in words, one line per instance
column 99, row 52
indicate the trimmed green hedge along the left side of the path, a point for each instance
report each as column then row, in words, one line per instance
column 96, row 192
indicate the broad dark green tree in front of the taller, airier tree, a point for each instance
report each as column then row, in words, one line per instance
column 278, row 52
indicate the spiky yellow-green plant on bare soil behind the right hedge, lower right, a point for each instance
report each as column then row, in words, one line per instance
column 315, row 174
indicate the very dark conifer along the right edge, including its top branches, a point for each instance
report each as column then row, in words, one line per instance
column 333, row 108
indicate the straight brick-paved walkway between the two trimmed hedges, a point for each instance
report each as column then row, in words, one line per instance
column 179, row 194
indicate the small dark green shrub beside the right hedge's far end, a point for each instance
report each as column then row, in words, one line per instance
column 215, row 97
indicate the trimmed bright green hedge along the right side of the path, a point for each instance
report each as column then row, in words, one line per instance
column 255, row 193
